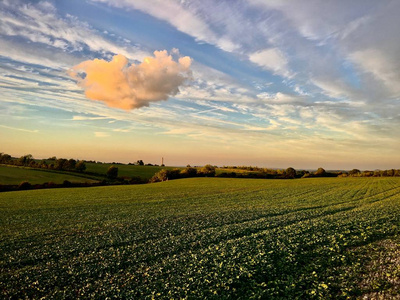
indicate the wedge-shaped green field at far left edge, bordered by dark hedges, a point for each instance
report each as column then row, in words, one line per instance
column 15, row 175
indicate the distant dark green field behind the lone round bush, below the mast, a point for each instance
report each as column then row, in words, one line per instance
column 144, row 172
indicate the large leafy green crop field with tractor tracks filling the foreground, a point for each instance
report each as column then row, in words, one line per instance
column 214, row 238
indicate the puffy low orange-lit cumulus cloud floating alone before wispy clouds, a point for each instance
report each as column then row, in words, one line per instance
column 129, row 86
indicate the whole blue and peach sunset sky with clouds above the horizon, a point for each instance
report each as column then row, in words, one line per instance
column 268, row 83
